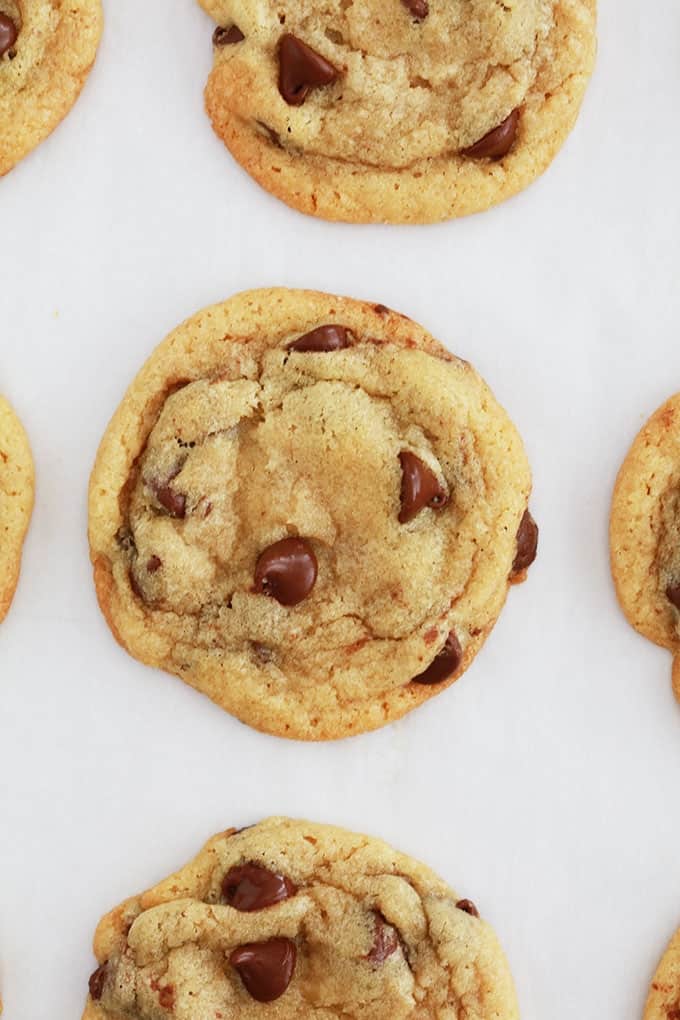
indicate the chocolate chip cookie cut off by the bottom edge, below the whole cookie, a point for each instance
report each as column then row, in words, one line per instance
column 311, row 921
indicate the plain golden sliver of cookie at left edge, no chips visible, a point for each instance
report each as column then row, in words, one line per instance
column 17, row 496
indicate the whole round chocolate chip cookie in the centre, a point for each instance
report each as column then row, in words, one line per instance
column 306, row 508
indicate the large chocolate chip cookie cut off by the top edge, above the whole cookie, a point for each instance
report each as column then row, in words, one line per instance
column 398, row 111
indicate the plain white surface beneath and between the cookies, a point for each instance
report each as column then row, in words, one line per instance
column 546, row 785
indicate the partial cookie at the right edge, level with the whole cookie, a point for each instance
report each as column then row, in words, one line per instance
column 645, row 533
